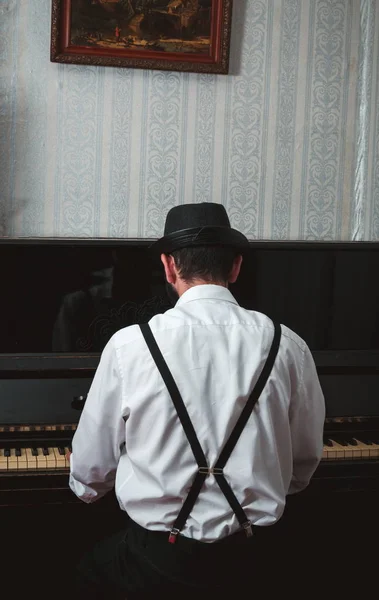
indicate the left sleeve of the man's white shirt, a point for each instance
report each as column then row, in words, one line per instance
column 100, row 436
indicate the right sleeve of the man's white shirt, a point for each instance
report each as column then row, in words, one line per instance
column 307, row 419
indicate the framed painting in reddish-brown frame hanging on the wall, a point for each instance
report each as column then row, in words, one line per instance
column 174, row 35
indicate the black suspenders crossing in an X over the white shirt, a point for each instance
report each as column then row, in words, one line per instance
column 203, row 469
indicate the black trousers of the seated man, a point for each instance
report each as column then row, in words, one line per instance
column 140, row 564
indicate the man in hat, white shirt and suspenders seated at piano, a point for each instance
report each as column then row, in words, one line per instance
column 204, row 421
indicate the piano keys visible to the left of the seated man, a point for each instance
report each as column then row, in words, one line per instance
column 36, row 459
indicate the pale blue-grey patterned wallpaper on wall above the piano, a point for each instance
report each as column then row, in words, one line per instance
column 288, row 142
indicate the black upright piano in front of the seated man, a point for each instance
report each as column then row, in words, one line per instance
column 62, row 300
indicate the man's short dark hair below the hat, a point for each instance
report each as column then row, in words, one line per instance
column 208, row 263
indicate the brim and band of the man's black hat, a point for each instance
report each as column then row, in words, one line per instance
column 200, row 236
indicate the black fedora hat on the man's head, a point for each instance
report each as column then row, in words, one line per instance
column 204, row 224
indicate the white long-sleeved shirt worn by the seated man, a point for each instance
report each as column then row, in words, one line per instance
column 129, row 434
